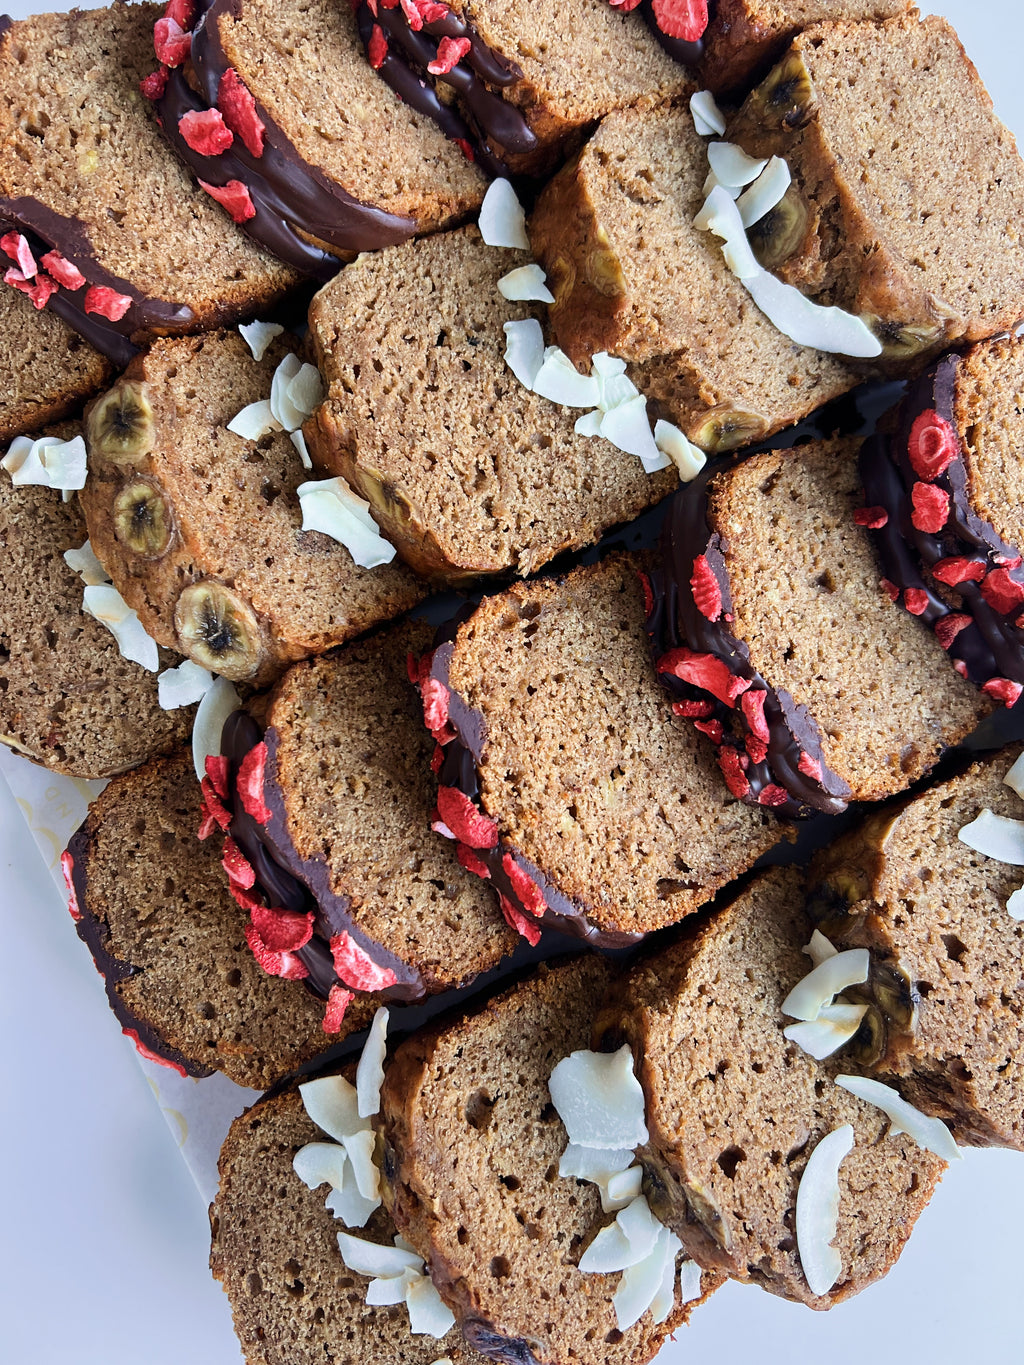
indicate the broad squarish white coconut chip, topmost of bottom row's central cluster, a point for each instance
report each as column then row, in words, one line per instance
column 599, row 1100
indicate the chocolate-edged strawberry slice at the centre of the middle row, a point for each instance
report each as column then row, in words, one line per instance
column 563, row 776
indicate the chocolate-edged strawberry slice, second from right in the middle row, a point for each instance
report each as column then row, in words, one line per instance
column 772, row 627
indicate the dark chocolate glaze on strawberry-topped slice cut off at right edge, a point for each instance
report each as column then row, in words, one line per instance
column 992, row 646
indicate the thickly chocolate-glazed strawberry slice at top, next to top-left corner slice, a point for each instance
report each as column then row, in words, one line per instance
column 278, row 113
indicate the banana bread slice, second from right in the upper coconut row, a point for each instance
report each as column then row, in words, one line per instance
column 633, row 276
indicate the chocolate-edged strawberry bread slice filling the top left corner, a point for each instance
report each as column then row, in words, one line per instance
column 133, row 248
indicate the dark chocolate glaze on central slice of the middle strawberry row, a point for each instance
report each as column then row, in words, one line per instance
column 461, row 769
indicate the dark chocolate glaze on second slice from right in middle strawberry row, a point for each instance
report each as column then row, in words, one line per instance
column 677, row 622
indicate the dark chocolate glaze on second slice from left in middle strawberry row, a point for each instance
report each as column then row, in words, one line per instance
column 296, row 884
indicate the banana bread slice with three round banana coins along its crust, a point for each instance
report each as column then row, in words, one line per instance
column 201, row 529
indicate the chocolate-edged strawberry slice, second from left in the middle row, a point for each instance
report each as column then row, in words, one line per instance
column 332, row 802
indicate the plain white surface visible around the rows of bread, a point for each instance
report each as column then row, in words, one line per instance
column 104, row 1241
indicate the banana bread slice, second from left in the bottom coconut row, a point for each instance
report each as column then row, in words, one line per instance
column 472, row 1177
